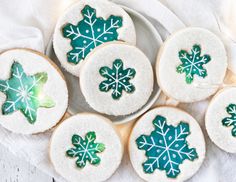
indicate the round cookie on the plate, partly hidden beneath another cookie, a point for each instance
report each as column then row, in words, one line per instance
column 86, row 25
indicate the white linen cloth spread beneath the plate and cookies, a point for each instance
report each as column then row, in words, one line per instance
column 30, row 24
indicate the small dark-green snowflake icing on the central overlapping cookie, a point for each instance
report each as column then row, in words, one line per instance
column 117, row 79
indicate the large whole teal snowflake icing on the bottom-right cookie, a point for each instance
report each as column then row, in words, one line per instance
column 166, row 147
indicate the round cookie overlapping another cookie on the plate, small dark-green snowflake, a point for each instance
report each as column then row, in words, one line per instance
column 116, row 79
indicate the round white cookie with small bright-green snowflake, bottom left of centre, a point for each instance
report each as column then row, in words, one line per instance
column 86, row 147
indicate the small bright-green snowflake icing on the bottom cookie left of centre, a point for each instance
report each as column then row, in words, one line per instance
column 85, row 150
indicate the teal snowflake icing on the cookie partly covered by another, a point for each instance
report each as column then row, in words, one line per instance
column 89, row 33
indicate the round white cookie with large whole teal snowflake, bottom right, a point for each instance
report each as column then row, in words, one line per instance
column 166, row 144
